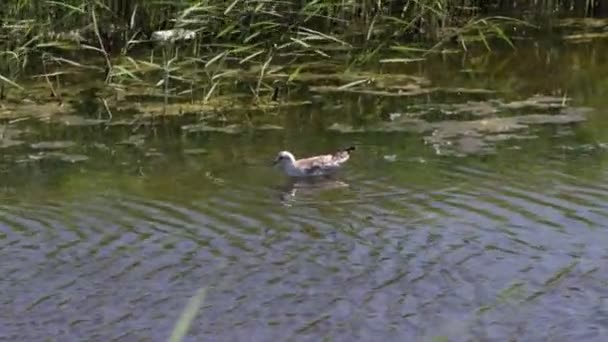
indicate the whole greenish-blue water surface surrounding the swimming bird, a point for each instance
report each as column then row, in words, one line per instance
column 470, row 240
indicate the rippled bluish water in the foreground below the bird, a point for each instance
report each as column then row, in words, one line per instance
column 476, row 253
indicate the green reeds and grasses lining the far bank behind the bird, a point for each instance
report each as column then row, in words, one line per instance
column 173, row 57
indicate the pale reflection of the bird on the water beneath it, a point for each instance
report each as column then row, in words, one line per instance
column 307, row 186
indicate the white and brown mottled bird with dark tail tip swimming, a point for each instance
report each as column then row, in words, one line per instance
column 322, row 165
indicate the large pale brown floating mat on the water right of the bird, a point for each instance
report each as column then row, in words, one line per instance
column 463, row 137
